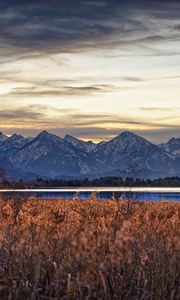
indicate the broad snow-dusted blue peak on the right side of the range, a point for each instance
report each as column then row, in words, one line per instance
column 129, row 148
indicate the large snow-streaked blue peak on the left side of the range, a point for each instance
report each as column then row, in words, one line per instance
column 50, row 155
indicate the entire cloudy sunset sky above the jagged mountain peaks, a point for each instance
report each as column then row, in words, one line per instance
column 90, row 68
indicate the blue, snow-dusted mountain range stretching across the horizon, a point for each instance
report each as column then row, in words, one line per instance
column 50, row 156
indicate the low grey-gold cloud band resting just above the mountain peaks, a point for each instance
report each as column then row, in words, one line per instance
column 33, row 118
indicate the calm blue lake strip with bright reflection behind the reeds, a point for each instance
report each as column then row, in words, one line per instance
column 141, row 194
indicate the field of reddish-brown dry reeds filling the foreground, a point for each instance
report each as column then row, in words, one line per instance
column 58, row 249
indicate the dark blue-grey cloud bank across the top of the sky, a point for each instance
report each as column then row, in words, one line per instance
column 35, row 27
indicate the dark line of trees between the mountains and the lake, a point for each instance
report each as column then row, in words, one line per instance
column 88, row 182
